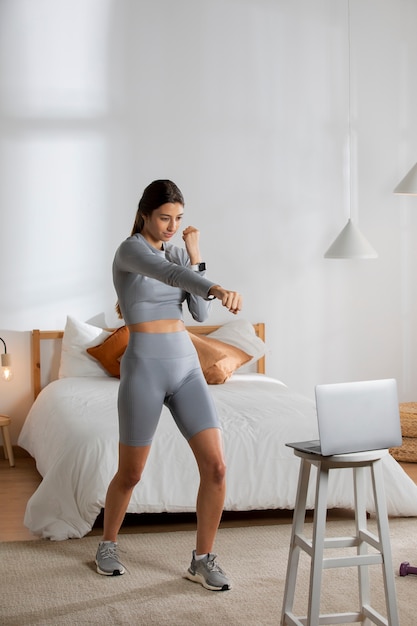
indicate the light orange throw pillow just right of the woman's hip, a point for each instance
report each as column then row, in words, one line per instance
column 218, row 360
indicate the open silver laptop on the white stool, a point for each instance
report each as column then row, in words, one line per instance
column 355, row 417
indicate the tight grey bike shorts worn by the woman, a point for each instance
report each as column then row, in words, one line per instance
column 158, row 369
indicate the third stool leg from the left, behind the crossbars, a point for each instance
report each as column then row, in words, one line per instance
column 361, row 524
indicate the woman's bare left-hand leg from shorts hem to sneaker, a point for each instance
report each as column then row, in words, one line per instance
column 132, row 461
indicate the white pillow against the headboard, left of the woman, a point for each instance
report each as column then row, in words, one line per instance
column 75, row 361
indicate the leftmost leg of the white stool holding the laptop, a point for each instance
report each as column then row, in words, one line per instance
column 297, row 529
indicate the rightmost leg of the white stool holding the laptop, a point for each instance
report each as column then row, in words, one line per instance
column 384, row 538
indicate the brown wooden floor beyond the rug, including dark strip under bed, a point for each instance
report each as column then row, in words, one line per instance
column 18, row 483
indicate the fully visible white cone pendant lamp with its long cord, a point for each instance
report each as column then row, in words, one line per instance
column 350, row 243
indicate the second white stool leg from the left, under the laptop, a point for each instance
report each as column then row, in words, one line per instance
column 319, row 532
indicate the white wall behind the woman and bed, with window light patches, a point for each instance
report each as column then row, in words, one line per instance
column 243, row 103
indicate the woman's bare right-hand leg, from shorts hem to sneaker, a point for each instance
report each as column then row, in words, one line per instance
column 207, row 447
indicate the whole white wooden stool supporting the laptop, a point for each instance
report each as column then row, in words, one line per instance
column 358, row 462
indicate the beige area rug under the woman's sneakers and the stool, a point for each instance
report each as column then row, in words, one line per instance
column 53, row 583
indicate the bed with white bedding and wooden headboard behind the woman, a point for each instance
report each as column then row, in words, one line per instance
column 72, row 433
